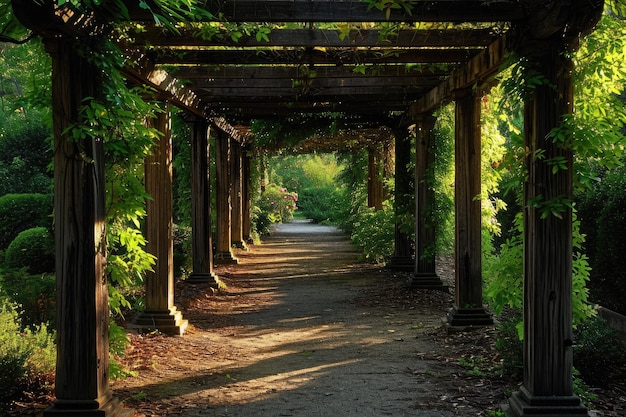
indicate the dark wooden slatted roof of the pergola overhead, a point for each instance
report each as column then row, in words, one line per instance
column 331, row 55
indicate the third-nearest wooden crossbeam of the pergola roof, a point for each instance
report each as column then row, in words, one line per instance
column 344, row 56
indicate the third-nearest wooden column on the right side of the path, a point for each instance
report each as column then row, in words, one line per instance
column 425, row 275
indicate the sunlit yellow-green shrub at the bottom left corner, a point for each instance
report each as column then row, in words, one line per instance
column 25, row 355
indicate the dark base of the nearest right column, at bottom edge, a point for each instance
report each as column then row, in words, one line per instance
column 523, row 404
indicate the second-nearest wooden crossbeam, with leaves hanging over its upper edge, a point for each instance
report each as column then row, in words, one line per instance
column 157, row 37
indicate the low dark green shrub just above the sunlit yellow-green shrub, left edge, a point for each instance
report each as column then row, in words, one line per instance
column 34, row 293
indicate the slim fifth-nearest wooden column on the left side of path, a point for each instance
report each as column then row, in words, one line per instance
column 236, row 175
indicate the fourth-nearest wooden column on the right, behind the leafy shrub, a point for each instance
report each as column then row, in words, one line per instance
column 402, row 259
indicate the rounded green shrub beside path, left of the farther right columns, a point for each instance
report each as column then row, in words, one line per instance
column 374, row 232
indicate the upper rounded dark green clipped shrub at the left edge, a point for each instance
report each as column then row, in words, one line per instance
column 19, row 212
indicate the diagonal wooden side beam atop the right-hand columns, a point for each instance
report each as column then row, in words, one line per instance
column 478, row 70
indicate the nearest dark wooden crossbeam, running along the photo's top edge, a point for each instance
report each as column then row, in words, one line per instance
column 352, row 11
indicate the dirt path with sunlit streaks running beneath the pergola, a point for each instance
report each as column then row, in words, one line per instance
column 303, row 329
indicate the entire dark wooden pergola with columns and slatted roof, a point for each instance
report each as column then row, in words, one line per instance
column 444, row 51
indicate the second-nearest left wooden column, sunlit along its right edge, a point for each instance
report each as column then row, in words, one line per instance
column 160, row 313
